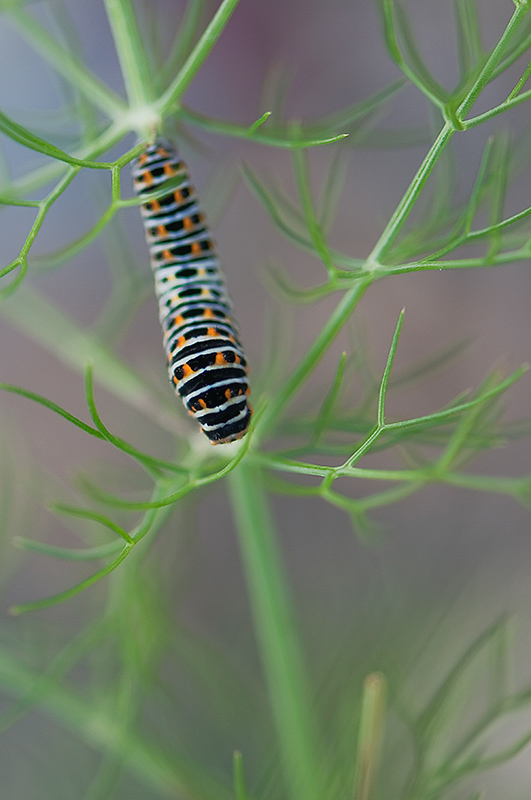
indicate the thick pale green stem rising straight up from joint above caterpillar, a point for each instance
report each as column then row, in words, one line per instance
column 136, row 69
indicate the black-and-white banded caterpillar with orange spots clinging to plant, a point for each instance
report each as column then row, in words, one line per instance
column 206, row 363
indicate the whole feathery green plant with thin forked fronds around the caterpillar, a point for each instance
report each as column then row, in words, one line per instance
column 319, row 452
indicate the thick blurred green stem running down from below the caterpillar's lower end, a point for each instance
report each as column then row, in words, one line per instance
column 277, row 636
